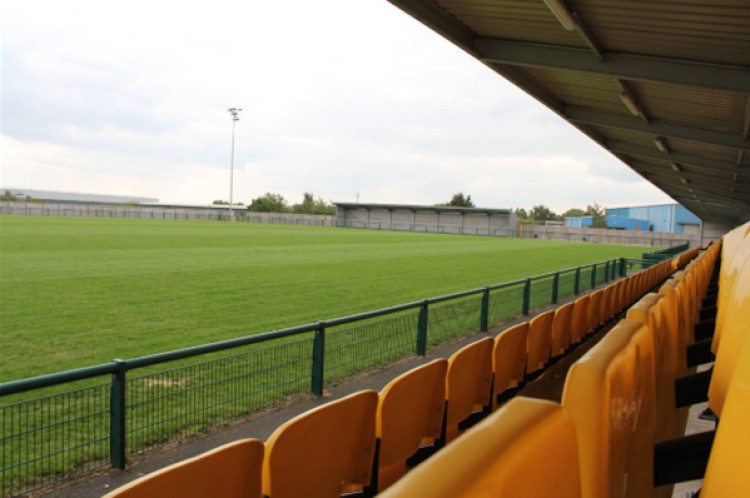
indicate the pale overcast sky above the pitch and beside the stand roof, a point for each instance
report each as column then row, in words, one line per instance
column 339, row 97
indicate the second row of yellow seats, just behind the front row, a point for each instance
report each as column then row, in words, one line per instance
column 618, row 401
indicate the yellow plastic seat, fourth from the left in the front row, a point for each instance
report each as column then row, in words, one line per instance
column 468, row 384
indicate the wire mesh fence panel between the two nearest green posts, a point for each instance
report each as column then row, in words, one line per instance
column 170, row 405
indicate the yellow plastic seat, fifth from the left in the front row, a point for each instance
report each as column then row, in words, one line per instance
column 508, row 360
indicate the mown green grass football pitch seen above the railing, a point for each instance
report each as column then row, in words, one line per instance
column 82, row 291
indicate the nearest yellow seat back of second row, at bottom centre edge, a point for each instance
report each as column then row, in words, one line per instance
column 525, row 449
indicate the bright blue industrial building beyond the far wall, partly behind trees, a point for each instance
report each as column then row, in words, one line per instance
column 669, row 218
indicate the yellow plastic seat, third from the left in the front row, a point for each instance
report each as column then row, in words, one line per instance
column 410, row 414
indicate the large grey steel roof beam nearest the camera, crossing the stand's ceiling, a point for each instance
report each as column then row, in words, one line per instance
column 619, row 65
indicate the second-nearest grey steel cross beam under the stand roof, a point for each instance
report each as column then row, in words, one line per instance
column 596, row 117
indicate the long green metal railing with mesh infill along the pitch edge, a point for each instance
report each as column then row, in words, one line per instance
column 113, row 411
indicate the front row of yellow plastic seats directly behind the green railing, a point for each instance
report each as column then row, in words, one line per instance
column 369, row 440
